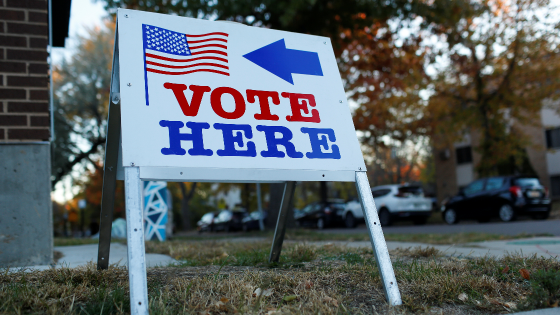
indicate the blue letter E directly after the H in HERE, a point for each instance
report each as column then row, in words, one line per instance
column 230, row 140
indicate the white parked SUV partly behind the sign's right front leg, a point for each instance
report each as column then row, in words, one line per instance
column 393, row 202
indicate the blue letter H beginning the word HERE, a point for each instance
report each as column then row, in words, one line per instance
column 175, row 138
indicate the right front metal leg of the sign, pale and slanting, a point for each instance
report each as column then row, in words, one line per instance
column 381, row 252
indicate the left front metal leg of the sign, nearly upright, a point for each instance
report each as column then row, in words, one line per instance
column 137, row 278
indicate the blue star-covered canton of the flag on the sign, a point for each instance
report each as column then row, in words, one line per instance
column 166, row 41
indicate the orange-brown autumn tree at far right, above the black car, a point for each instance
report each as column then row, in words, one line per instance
column 502, row 65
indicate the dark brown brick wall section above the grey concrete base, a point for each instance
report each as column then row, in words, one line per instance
column 24, row 94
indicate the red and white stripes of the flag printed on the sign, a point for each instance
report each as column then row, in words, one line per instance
column 208, row 54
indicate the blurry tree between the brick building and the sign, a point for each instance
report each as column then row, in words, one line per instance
column 81, row 97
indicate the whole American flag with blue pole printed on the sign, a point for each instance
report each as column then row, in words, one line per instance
column 173, row 53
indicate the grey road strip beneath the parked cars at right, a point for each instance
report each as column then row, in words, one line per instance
column 511, row 228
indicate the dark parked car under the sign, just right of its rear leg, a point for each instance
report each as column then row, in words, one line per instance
column 321, row 215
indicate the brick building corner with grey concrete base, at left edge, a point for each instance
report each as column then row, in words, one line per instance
column 25, row 202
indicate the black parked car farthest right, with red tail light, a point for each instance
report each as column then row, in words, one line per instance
column 504, row 197
